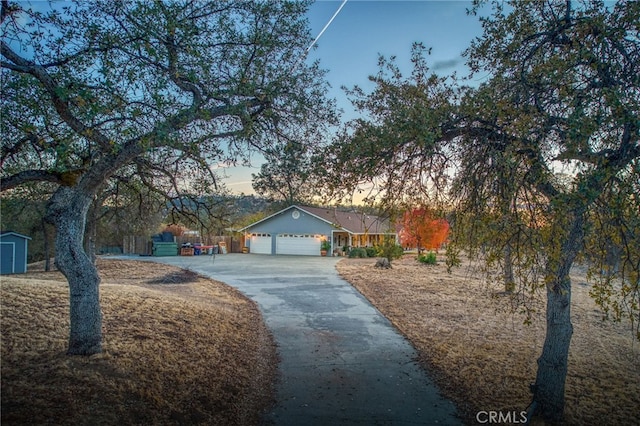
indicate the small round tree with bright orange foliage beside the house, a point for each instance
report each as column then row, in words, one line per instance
column 422, row 229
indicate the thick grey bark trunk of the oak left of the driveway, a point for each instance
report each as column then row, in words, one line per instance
column 67, row 210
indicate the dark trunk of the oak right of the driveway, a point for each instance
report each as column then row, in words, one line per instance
column 552, row 364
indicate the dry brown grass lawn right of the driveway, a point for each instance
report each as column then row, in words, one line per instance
column 485, row 358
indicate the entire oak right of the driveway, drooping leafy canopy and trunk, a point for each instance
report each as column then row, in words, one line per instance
column 539, row 163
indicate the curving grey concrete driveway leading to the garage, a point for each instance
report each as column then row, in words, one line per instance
column 342, row 362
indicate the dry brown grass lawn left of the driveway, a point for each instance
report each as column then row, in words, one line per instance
column 178, row 349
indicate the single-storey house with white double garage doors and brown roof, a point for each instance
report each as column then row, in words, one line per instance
column 300, row 230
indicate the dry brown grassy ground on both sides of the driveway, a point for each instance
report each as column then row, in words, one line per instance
column 183, row 349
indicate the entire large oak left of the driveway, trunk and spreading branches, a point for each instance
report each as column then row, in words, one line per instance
column 163, row 90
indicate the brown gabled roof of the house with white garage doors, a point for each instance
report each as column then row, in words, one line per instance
column 350, row 221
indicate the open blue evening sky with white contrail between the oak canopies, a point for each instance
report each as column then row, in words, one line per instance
column 363, row 30
